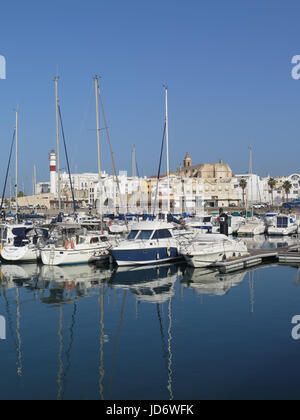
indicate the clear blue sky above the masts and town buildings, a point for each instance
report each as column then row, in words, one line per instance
column 227, row 65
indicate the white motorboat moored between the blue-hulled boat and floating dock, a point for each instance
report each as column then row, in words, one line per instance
column 206, row 250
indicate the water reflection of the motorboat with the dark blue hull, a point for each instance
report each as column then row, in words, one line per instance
column 153, row 284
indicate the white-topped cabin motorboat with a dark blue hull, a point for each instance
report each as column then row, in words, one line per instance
column 149, row 242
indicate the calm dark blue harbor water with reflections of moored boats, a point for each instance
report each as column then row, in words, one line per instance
column 166, row 332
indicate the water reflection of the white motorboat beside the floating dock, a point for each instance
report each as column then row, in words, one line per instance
column 211, row 282
